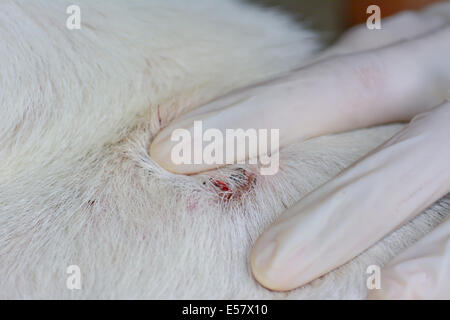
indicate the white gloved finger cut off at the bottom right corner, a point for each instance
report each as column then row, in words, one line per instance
column 420, row 272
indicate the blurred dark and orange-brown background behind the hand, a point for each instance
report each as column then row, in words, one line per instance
column 332, row 17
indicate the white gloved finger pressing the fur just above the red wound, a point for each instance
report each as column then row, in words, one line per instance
column 393, row 83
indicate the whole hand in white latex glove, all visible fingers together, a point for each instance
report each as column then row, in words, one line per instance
column 367, row 78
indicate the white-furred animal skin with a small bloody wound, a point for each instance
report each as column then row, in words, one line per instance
column 79, row 109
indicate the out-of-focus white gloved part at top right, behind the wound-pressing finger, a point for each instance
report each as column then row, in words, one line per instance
column 400, row 27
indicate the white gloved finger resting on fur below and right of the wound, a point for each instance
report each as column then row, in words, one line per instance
column 356, row 209
